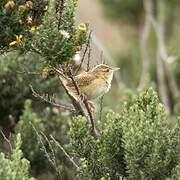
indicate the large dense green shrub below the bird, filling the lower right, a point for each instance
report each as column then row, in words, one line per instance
column 136, row 144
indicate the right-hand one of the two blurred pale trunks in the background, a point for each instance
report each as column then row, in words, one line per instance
column 162, row 55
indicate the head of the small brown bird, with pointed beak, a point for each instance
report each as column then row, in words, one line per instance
column 104, row 70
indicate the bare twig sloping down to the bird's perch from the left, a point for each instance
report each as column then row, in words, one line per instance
column 60, row 106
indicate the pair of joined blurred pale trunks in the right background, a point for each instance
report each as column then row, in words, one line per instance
column 166, row 80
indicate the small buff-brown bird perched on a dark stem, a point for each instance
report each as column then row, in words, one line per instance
column 92, row 84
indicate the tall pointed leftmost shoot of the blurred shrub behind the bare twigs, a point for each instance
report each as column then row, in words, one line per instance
column 30, row 145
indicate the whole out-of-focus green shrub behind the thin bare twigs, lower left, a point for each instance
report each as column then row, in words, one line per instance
column 31, row 126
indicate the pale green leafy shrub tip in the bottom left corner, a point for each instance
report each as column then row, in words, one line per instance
column 16, row 167
